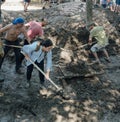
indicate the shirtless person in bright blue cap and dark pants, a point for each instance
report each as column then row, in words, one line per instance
column 11, row 38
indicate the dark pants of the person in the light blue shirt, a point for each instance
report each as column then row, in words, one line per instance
column 30, row 69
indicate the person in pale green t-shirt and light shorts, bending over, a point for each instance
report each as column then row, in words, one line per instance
column 99, row 34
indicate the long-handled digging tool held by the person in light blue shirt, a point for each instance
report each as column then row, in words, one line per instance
column 59, row 90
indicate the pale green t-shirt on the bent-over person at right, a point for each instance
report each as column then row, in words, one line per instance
column 99, row 34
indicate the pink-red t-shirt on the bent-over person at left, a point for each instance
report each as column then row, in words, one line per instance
column 35, row 29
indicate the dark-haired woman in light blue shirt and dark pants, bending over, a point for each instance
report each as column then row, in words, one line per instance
column 35, row 55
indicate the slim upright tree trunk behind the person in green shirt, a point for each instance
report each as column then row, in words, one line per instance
column 89, row 13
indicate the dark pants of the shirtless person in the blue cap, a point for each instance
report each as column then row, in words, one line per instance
column 16, row 51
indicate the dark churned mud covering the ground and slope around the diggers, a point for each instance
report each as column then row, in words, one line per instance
column 94, row 91
